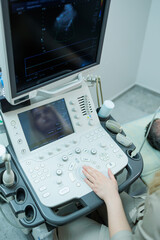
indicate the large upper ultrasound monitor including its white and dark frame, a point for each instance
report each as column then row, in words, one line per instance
column 44, row 41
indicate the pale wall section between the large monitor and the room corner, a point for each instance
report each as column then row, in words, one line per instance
column 122, row 46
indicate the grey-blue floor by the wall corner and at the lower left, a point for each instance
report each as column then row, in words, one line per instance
column 135, row 103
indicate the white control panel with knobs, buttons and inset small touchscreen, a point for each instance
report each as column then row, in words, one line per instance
column 54, row 138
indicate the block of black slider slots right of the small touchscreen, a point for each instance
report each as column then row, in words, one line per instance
column 85, row 105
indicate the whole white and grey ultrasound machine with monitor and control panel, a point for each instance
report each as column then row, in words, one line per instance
column 50, row 119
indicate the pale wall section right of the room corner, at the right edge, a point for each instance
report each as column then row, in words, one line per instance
column 149, row 68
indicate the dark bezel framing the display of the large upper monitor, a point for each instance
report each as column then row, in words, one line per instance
column 48, row 80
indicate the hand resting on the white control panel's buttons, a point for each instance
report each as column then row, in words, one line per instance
column 105, row 187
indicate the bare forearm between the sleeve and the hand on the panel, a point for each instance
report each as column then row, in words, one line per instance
column 117, row 220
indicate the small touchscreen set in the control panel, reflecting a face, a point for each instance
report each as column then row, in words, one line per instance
column 46, row 124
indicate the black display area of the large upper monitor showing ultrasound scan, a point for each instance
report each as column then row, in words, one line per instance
column 51, row 38
